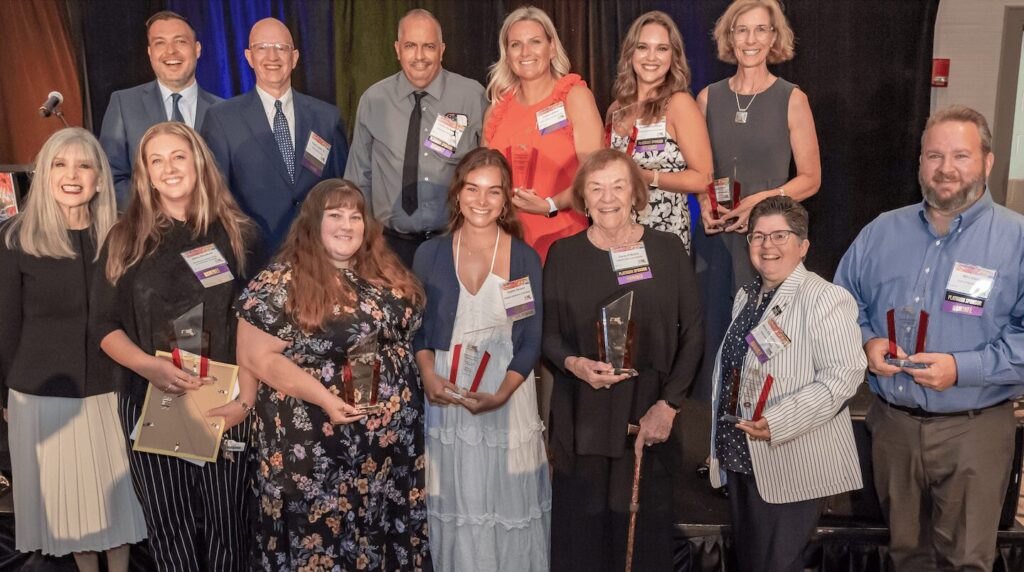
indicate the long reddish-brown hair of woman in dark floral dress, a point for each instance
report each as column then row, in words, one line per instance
column 317, row 286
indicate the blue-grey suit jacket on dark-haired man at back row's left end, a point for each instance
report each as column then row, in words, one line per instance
column 129, row 115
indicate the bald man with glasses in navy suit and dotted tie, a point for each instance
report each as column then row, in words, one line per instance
column 274, row 145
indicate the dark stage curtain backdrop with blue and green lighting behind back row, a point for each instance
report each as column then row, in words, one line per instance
column 865, row 65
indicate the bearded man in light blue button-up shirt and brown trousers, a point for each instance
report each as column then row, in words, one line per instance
column 940, row 288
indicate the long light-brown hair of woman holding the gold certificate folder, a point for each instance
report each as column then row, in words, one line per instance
column 144, row 225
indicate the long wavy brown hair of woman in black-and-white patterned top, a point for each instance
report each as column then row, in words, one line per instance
column 678, row 78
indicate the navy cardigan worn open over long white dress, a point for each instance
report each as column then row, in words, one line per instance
column 435, row 265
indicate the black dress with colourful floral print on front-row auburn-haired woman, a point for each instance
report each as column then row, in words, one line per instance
column 347, row 497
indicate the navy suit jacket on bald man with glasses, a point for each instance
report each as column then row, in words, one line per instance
column 242, row 142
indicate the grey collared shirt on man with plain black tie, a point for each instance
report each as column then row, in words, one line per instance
column 378, row 152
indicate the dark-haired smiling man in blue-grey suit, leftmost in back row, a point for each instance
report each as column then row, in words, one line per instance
column 175, row 96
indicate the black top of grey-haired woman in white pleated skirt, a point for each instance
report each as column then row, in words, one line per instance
column 45, row 305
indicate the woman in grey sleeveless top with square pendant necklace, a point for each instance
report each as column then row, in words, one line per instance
column 758, row 123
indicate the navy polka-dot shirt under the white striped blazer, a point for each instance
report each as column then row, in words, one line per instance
column 731, row 444
